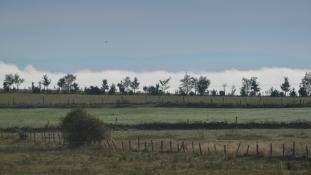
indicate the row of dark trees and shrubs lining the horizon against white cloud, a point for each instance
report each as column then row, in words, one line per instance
column 189, row 85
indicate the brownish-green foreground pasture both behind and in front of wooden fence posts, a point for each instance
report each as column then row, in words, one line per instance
column 19, row 157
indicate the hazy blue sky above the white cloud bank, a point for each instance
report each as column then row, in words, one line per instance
column 145, row 36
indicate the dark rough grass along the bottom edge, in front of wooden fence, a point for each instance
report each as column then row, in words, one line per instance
column 99, row 161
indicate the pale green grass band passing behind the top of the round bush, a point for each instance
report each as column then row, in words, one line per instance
column 40, row 117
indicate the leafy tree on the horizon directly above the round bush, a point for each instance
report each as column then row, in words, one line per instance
column 68, row 83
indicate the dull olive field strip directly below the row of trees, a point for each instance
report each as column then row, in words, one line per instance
column 69, row 100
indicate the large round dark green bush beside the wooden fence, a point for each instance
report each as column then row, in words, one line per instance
column 81, row 128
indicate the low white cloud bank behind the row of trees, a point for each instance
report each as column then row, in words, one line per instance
column 268, row 77
